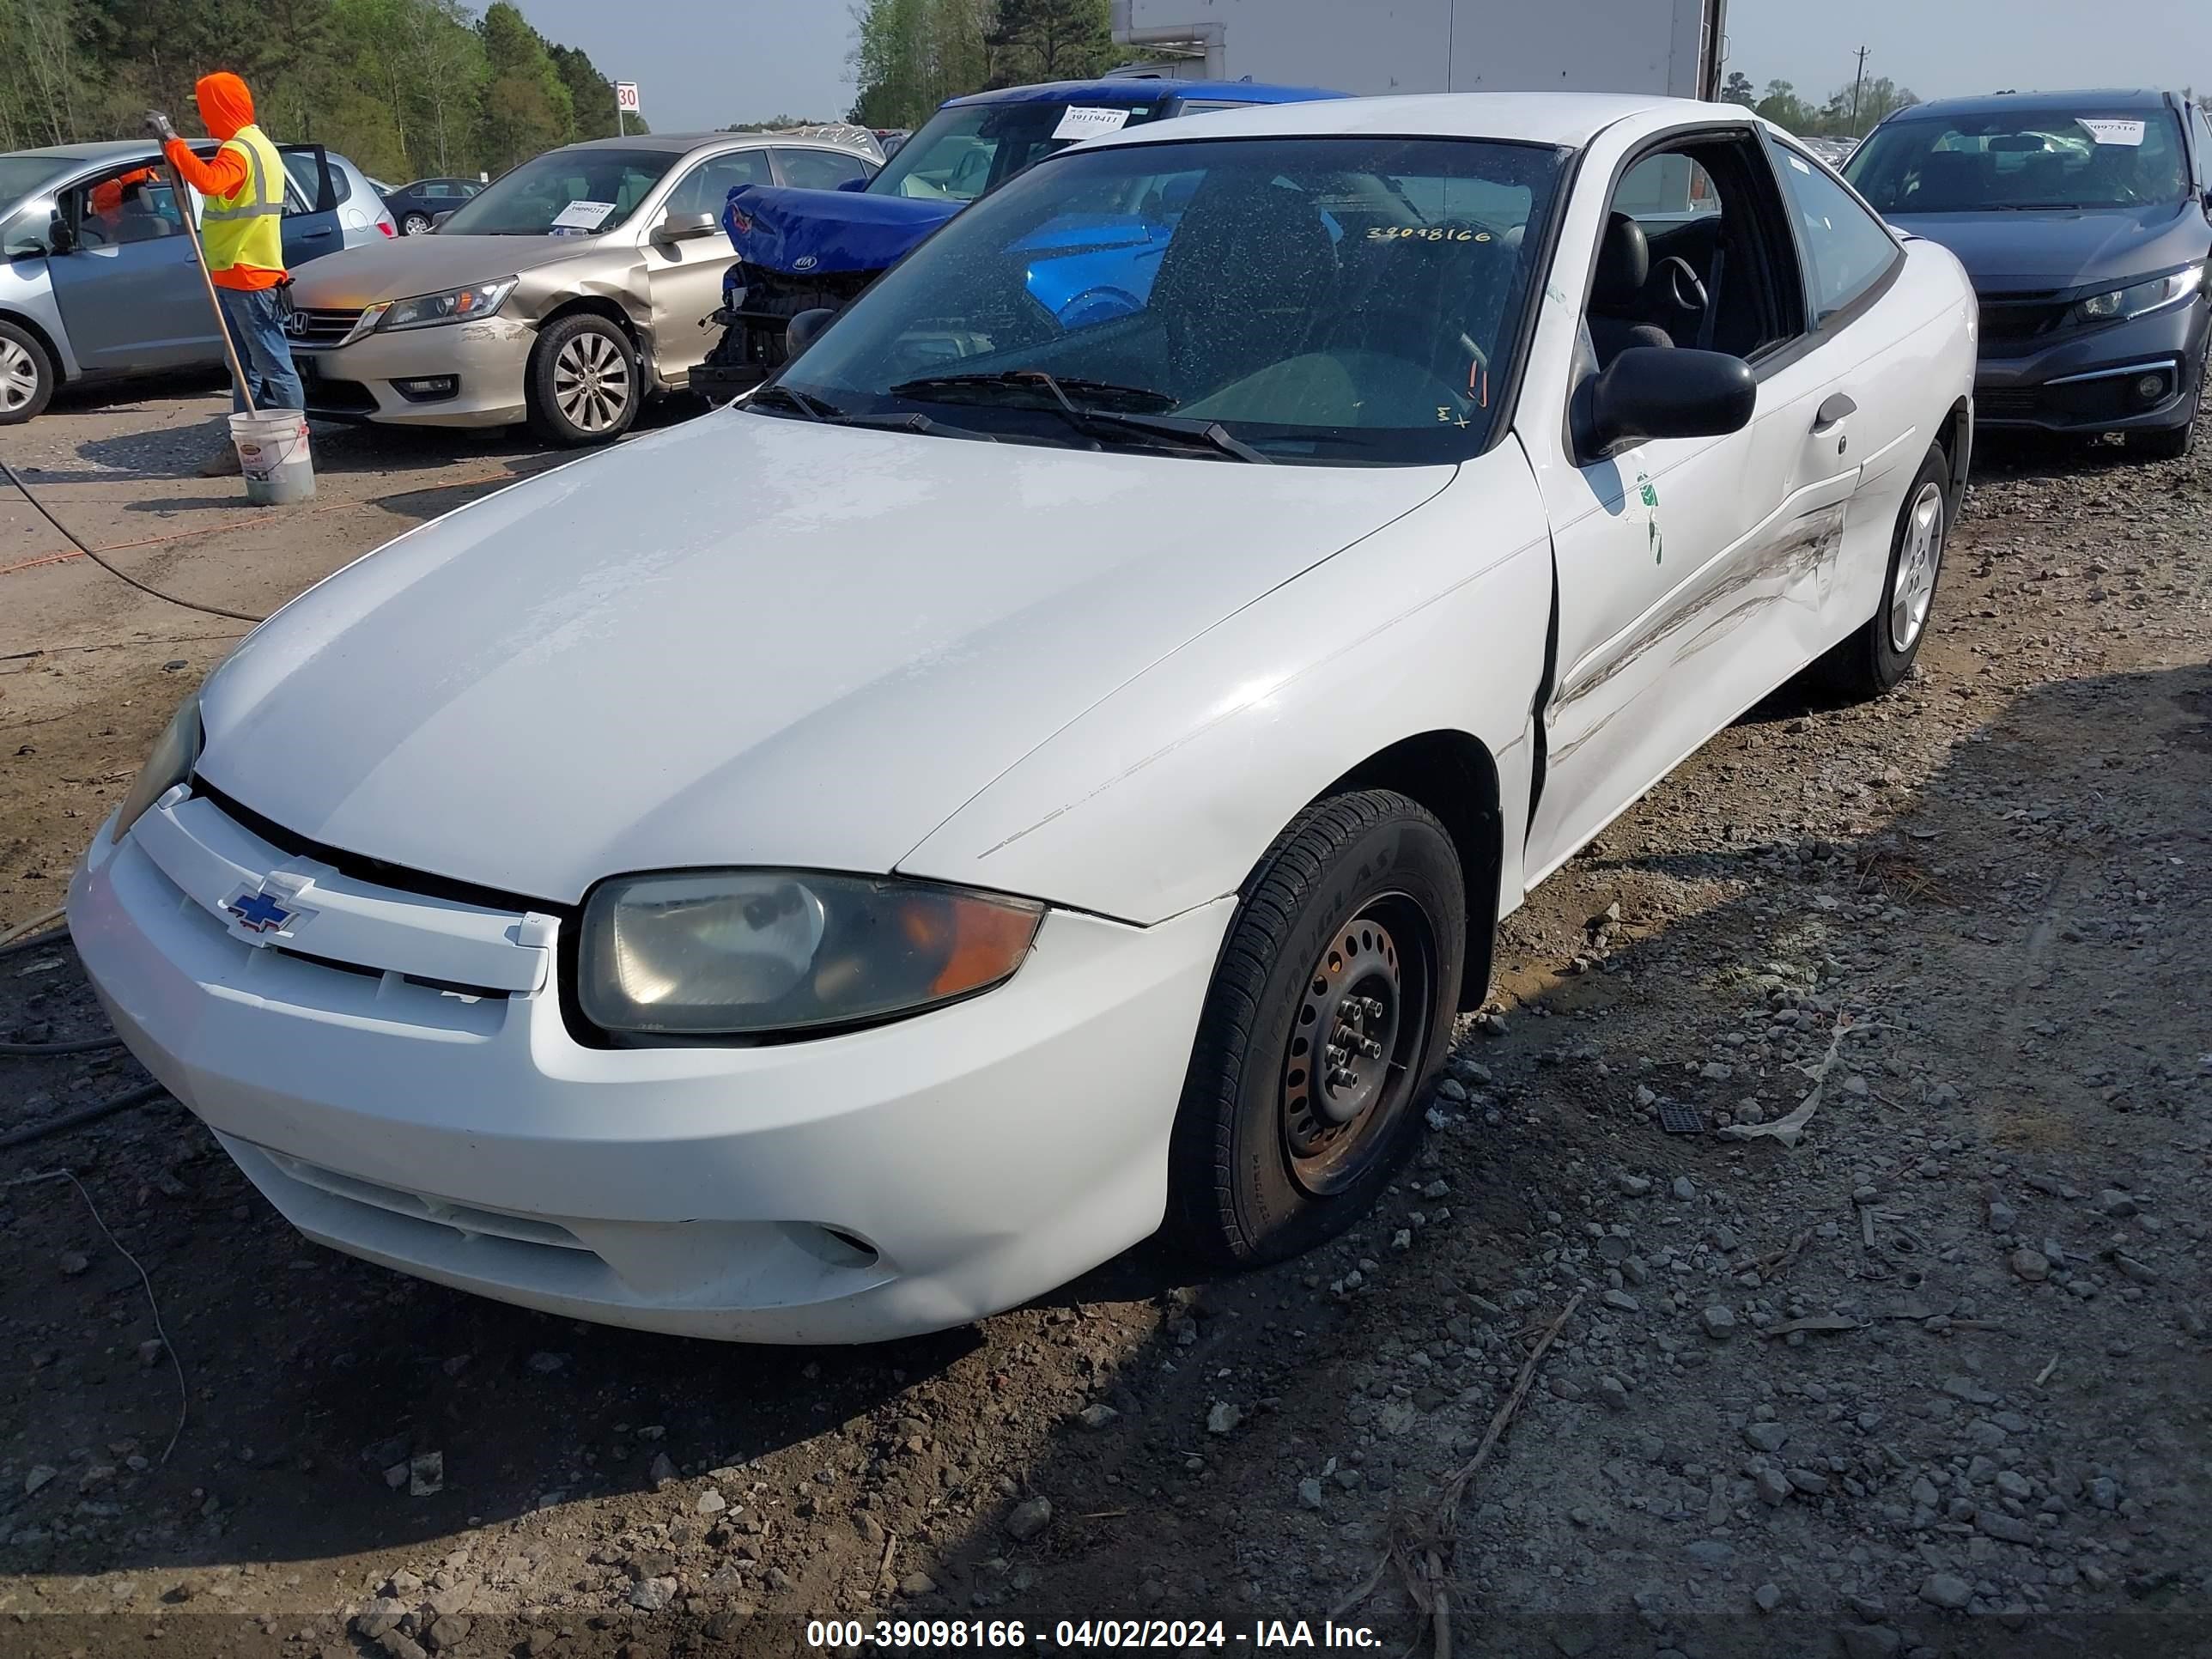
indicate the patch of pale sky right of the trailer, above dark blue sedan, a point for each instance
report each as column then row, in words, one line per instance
column 1957, row 48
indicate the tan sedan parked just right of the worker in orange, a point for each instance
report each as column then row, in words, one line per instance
column 565, row 295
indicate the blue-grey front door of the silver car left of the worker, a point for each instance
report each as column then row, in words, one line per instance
column 127, row 284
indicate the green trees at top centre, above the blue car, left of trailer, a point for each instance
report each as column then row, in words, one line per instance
column 915, row 54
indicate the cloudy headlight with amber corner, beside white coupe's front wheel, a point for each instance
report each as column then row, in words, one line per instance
column 747, row 952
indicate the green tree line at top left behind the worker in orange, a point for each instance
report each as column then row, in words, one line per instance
column 404, row 87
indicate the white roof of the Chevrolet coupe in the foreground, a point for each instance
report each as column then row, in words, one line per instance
column 1567, row 121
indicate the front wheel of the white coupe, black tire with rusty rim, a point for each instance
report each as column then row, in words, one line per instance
column 1373, row 884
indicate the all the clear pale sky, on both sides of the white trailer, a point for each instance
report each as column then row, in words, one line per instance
column 711, row 63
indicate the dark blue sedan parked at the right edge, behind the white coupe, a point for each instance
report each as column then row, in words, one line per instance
column 2085, row 222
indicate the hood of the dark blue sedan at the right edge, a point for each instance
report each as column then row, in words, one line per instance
column 2007, row 253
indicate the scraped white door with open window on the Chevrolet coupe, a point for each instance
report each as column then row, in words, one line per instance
column 1669, row 554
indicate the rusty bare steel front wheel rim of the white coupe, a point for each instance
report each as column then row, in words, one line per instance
column 1357, row 1041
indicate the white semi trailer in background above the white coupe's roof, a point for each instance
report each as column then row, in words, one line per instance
column 1437, row 45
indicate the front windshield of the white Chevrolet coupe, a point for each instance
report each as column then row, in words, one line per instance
column 1319, row 300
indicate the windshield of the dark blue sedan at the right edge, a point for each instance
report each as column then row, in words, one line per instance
column 2047, row 158
